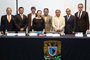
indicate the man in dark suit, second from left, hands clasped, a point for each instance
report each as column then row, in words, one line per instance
column 21, row 20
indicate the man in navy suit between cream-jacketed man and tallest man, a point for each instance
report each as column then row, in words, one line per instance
column 70, row 22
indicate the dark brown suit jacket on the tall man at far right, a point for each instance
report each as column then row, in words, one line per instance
column 82, row 24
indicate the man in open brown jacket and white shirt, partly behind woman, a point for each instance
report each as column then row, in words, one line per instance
column 31, row 16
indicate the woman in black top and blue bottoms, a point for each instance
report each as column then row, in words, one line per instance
column 38, row 23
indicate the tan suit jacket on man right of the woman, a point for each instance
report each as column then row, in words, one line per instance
column 48, row 23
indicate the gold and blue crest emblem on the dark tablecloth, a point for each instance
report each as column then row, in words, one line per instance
column 52, row 50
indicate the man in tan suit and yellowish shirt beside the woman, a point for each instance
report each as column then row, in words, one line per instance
column 48, row 20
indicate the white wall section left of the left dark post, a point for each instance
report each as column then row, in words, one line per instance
column 7, row 3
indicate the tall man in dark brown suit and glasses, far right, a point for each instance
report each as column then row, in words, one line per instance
column 82, row 20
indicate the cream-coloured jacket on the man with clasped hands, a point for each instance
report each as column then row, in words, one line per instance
column 61, row 24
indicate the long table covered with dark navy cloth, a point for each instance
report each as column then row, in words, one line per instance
column 32, row 48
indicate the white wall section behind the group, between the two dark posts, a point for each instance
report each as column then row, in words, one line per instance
column 51, row 4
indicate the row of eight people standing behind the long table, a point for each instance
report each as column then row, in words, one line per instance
column 39, row 23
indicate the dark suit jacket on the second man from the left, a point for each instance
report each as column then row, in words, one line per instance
column 19, row 23
